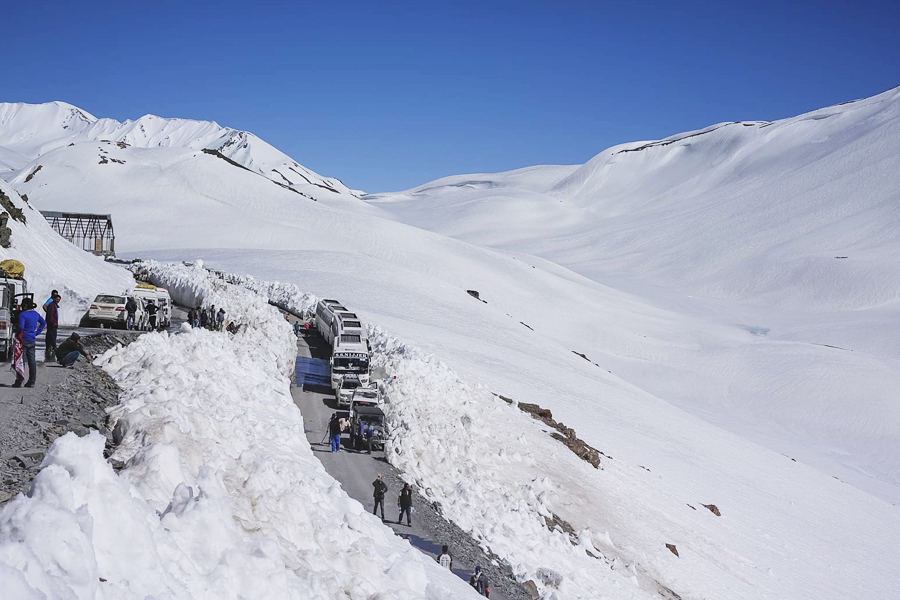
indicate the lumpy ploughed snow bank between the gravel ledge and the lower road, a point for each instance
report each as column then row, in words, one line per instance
column 221, row 496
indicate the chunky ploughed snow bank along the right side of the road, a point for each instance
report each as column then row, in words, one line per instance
column 468, row 451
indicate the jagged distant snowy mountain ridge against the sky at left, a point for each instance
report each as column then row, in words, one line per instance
column 28, row 131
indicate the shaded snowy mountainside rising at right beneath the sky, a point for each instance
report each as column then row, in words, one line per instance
column 751, row 211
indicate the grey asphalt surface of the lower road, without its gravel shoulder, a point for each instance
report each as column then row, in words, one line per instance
column 357, row 470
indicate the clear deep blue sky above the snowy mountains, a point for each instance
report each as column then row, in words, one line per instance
column 389, row 95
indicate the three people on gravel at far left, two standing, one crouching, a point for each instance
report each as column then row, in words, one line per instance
column 30, row 326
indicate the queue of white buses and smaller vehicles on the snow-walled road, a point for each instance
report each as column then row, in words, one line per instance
column 351, row 379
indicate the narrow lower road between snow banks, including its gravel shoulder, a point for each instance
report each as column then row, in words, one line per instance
column 356, row 471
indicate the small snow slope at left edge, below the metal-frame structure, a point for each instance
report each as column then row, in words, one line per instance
column 53, row 263
